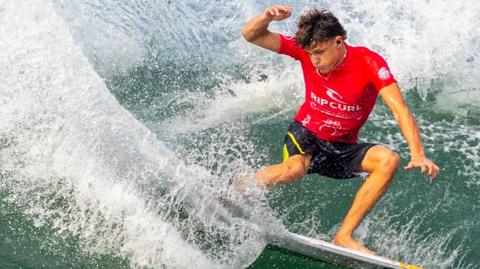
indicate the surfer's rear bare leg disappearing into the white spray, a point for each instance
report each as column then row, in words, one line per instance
column 288, row 171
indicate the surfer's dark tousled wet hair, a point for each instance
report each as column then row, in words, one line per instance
column 318, row 26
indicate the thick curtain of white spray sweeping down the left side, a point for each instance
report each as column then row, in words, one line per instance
column 74, row 159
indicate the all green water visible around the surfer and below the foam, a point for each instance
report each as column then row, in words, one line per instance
column 435, row 224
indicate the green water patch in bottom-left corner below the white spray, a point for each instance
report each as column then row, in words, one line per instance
column 24, row 245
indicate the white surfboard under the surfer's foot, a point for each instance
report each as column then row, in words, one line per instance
column 328, row 252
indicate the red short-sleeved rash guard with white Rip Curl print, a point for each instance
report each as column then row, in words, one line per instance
column 338, row 104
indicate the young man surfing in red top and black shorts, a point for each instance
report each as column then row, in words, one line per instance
column 342, row 83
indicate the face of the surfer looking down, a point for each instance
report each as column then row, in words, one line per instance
column 325, row 55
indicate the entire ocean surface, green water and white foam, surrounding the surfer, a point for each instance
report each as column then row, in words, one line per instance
column 122, row 122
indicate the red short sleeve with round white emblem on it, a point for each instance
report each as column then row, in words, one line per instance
column 379, row 71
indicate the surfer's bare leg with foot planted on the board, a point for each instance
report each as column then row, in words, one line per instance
column 382, row 164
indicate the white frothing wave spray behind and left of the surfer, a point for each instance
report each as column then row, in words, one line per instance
column 65, row 138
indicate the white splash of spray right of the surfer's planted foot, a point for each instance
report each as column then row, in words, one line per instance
column 405, row 242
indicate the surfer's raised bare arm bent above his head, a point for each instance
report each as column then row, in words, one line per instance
column 256, row 30
